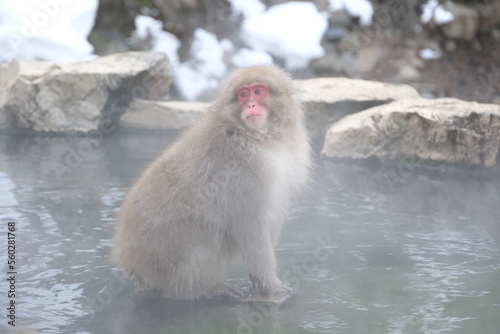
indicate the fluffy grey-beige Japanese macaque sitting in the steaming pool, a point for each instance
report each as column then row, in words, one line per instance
column 221, row 190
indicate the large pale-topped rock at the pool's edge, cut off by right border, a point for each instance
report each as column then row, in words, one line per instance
column 442, row 130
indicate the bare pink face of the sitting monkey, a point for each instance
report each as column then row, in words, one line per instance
column 251, row 98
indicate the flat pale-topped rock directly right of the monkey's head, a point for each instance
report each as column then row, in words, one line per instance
column 329, row 99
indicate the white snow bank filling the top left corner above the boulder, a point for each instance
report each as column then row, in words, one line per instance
column 54, row 30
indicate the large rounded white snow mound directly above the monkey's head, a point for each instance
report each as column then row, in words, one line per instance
column 291, row 31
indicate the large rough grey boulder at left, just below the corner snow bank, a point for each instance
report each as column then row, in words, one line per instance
column 81, row 96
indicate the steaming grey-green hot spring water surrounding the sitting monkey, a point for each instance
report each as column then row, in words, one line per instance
column 396, row 250
